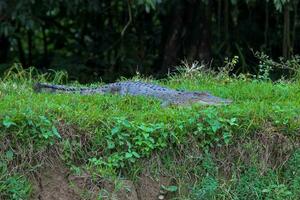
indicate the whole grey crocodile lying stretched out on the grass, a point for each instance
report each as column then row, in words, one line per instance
column 168, row 96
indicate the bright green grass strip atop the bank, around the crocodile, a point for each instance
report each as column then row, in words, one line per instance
column 253, row 100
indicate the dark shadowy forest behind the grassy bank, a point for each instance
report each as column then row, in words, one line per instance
column 106, row 39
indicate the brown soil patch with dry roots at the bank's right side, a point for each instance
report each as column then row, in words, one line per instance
column 267, row 148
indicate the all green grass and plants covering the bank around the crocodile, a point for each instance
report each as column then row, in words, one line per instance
column 113, row 135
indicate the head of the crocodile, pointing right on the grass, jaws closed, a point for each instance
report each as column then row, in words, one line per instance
column 206, row 98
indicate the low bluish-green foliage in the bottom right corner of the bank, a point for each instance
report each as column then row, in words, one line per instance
column 250, row 185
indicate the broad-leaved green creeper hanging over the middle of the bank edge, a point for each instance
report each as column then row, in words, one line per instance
column 127, row 142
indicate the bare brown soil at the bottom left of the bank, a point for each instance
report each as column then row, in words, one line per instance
column 55, row 182
